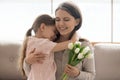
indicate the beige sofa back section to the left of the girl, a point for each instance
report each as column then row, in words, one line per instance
column 8, row 61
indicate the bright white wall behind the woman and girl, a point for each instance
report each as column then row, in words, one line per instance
column 16, row 16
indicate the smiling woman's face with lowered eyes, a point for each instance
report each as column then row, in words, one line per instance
column 65, row 23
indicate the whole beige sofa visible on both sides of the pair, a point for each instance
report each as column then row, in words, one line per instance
column 107, row 61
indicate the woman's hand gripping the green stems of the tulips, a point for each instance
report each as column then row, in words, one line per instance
column 71, row 71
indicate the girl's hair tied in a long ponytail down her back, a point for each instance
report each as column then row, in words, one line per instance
column 47, row 20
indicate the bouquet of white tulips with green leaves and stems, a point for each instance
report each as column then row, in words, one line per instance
column 76, row 54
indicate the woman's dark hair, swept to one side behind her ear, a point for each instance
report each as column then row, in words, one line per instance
column 74, row 11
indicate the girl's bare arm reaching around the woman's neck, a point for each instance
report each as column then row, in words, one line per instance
column 64, row 45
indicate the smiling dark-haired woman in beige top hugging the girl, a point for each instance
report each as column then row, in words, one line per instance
column 68, row 21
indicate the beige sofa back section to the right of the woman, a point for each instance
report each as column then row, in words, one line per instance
column 107, row 61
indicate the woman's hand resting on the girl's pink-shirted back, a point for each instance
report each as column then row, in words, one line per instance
column 35, row 57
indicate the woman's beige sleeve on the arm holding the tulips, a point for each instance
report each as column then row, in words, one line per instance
column 88, row 67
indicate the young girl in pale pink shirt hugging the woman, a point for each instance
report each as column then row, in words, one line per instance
column 42, row 42
